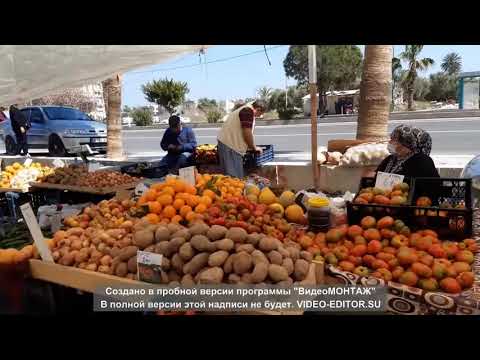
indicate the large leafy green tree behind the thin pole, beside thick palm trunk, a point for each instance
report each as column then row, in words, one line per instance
column 338, row 67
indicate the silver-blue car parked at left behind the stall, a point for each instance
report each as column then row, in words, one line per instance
column 59, row 129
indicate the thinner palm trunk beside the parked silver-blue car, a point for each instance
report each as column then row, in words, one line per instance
column 114, row 119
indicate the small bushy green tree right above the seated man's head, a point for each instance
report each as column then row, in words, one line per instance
column 166, row 93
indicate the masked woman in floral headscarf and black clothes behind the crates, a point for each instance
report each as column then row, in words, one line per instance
column 410, row 148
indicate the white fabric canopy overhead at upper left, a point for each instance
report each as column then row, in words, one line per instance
column 31, row 71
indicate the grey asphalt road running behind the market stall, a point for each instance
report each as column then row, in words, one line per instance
column 451, row 136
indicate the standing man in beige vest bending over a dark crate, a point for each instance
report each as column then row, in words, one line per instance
column 236, row 137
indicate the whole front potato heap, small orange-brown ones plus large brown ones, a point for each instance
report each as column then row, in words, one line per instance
column 196, row 255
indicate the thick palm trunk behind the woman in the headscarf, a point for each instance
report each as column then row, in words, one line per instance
column 375, row 93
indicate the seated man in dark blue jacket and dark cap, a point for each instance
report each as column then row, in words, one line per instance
column 180, row 143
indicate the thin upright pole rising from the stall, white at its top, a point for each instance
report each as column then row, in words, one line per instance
column 312, row 80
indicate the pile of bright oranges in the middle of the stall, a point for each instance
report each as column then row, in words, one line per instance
column 175, row 201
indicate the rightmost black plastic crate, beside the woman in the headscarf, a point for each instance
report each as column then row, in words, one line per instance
column 448, row 222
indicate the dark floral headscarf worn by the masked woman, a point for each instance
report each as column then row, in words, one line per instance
column 417, row 140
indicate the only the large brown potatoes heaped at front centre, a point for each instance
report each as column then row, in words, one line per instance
column 213, row 255
